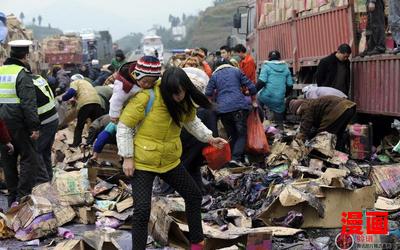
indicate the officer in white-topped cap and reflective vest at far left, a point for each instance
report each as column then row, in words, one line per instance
column 18, row 108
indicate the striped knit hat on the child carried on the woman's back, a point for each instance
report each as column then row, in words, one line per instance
column 147, row 66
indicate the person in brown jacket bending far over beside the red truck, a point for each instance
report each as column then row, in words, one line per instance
column 329, row 113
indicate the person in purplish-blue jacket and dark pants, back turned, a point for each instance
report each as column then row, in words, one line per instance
column 226, row 85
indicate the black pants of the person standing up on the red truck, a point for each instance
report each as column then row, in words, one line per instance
column 376, row 38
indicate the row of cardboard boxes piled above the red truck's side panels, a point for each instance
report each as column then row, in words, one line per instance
column 276, row 11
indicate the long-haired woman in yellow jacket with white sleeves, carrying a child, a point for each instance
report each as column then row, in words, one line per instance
column 154, row 148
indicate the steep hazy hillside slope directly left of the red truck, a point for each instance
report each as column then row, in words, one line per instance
column 214, row 25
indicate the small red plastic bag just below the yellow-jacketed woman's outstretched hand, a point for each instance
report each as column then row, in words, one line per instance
column 215, row 157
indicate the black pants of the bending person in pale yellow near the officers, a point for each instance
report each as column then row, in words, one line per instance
column 92, row 111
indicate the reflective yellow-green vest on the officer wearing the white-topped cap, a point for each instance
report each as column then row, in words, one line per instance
column 8, row 82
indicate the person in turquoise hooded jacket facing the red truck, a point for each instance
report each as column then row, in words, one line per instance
column 273, row 81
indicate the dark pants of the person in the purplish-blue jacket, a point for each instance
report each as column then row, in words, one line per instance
column 235, row 124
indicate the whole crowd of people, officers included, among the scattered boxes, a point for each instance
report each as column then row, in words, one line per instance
column 160, row 117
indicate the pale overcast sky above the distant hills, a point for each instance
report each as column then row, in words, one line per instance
column 120, row 17
